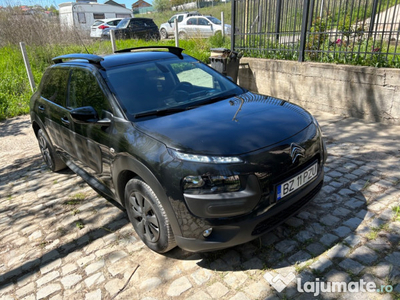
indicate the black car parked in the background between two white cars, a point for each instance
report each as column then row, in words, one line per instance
column 134, row 28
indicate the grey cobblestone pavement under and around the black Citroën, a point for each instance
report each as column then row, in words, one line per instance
column 60, row 240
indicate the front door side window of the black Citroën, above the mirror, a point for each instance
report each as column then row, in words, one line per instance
column 84, row 90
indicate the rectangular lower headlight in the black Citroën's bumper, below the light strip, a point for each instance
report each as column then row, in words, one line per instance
column 208, row 184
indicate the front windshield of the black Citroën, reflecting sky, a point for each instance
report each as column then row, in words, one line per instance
column 168, row 85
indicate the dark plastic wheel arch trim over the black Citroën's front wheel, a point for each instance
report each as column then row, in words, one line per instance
column 125, row 168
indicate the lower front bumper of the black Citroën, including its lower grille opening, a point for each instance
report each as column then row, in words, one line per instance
column 253, row 226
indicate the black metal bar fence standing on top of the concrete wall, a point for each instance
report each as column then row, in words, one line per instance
column 343, row 31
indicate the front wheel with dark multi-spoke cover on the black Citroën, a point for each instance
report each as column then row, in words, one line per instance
column 148, row 216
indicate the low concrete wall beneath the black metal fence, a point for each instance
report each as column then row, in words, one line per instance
column 364, row 92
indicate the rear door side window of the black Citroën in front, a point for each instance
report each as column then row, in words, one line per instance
column 54, row 85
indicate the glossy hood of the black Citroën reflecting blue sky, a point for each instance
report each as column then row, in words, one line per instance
column 233, row 126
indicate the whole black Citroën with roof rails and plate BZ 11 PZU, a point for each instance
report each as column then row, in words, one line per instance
column 196, row 160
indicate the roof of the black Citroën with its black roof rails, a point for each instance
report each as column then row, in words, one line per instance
column 124, row 57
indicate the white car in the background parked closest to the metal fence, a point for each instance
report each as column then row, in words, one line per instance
column 201, row 27
